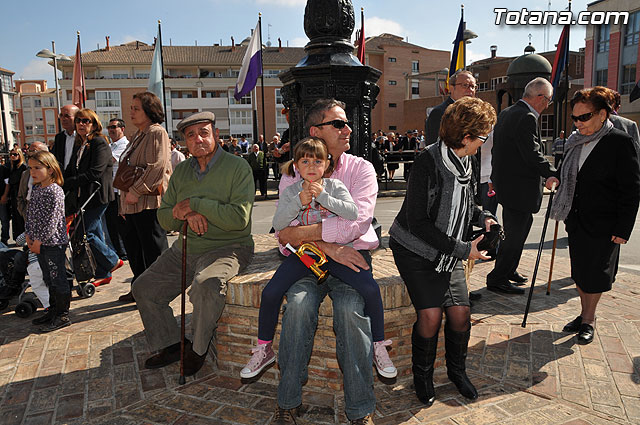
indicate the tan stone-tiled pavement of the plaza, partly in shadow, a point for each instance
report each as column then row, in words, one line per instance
column 92, row 371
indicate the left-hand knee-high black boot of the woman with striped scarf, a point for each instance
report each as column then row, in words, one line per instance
column 423, row 356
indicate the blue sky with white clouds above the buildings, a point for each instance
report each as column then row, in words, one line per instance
column 428, row 23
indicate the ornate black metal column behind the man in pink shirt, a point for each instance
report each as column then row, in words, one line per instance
column 330, row 70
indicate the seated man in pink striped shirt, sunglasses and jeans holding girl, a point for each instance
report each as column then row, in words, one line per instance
column 327, row 120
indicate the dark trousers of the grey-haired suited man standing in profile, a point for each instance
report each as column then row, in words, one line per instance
column 516, row 226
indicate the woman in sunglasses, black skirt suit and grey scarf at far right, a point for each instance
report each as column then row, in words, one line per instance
column 598, row 200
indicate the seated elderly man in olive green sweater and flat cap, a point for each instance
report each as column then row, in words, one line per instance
column 213, row 192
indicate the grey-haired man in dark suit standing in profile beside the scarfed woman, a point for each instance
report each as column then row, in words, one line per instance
column 518, row 168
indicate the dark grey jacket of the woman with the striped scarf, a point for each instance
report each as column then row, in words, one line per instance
column 421, row 224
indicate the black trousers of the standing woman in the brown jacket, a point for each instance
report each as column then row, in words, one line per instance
column 144, row 240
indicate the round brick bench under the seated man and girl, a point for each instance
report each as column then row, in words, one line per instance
column 238, row 327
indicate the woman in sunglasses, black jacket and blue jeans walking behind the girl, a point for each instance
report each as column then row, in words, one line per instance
column 91, row 163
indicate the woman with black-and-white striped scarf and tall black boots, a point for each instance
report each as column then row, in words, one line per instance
column 429, row 240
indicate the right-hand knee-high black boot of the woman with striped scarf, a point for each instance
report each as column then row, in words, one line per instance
column 456, row 344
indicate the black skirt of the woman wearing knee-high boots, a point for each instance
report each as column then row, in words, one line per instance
column 428, row 288
